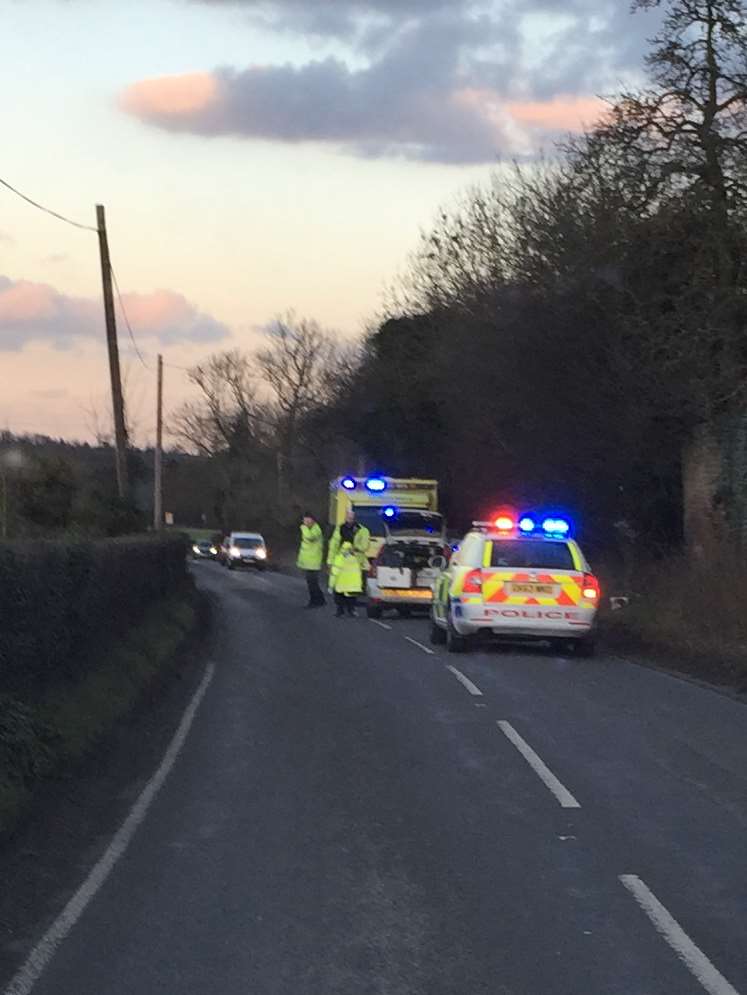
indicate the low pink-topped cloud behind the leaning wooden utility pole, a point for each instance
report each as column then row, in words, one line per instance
column 37, row 312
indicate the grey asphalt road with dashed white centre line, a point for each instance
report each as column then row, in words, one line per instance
column 345, row 814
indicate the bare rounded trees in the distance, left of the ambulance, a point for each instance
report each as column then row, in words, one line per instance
column 257, row 416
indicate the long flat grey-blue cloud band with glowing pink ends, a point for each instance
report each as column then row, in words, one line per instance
column 327, row 102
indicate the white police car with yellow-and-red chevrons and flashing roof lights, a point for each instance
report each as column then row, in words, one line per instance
column 518, row 577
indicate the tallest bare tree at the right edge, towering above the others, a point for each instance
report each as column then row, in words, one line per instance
column 679, row 151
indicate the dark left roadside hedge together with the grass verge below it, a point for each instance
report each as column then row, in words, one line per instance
column 84, row 628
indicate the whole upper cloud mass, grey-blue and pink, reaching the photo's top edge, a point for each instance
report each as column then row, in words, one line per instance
column 454, row 81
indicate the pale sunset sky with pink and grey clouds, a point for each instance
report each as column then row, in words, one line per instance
column 254, row 156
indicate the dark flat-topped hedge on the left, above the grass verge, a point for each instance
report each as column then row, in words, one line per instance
column 61, row 603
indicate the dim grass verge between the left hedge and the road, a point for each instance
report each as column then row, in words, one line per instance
column 41, row 739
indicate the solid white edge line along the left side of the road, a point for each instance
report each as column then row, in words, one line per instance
column 43, row 952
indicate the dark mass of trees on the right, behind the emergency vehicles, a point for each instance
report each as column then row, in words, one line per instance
column 575, row 332
